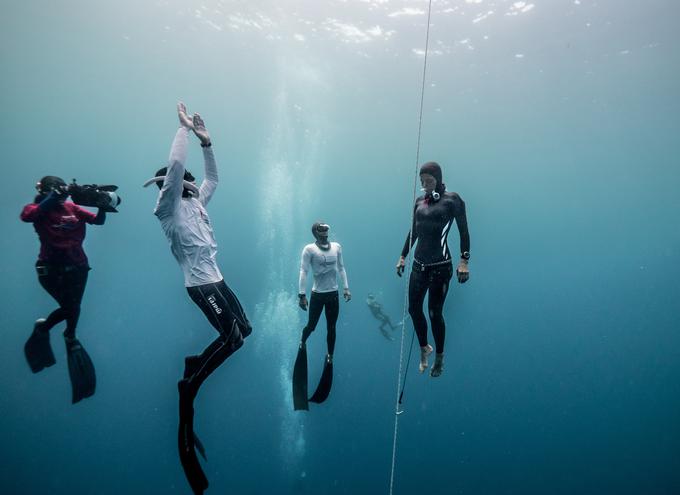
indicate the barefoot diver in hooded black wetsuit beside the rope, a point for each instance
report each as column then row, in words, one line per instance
column 433, row 214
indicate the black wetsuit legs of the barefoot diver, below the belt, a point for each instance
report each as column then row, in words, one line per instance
column 435, row 280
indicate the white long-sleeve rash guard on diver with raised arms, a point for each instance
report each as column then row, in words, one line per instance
column 185, row 221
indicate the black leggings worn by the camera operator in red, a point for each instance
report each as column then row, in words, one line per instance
column 66, row 284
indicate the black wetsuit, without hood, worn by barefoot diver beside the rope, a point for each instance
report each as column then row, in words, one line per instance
column 432, row 264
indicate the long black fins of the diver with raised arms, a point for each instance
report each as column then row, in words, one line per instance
column 188, row 443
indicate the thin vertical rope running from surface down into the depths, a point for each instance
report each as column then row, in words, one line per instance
column 397, row 412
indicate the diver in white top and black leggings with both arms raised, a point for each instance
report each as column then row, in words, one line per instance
column 185, row 222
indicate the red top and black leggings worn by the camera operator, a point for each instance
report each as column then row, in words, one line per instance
column 62, row 265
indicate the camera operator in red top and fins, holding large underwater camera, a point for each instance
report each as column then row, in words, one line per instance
column 62, row 269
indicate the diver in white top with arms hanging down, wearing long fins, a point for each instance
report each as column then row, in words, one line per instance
column 324, row 258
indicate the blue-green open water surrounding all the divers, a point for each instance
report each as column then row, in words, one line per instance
column 557, row 122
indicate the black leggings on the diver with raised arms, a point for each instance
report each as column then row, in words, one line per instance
column 224, row 312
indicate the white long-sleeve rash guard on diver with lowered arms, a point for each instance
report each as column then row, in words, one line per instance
column 325, row 265
